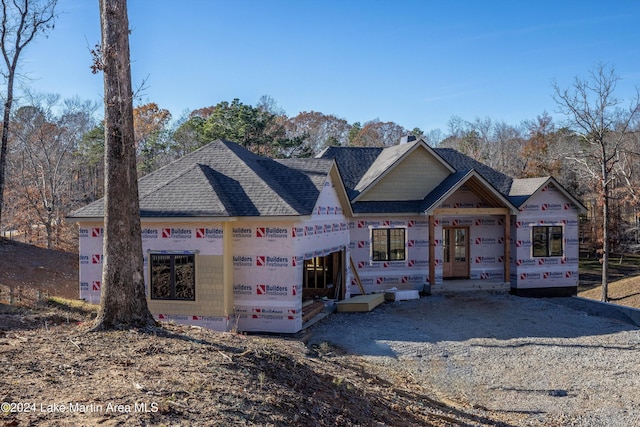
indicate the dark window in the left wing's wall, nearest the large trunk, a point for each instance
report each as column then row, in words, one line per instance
column 173, row 277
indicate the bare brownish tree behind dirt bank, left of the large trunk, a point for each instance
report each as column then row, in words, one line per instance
column 41, row 147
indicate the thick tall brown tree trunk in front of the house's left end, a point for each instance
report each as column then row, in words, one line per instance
column 123, row 301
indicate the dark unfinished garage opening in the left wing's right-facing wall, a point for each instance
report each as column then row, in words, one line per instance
column 323, row 276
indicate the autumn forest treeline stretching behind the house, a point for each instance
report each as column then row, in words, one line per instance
column 56, row 155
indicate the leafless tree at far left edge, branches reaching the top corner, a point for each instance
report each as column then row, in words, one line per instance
column 21, row 22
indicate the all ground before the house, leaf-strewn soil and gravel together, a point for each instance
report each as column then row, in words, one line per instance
column 490, row 363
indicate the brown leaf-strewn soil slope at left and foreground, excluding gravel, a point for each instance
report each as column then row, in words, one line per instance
column 57, row 374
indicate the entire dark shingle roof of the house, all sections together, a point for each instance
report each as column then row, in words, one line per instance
column 223, row 179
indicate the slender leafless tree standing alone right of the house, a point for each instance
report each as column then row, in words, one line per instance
column 602, row 127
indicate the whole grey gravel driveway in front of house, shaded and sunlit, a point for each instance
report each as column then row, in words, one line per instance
column 545, row 361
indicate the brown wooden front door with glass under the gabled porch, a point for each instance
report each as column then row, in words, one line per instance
column 455, row 256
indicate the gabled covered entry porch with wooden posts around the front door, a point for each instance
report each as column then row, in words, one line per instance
column 470, row 238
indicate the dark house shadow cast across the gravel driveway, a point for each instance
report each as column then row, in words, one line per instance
column 463, row 317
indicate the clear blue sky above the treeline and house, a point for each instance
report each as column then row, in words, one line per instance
column 417, row 63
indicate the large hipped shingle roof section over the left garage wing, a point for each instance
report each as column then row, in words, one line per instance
column 224, row 179
